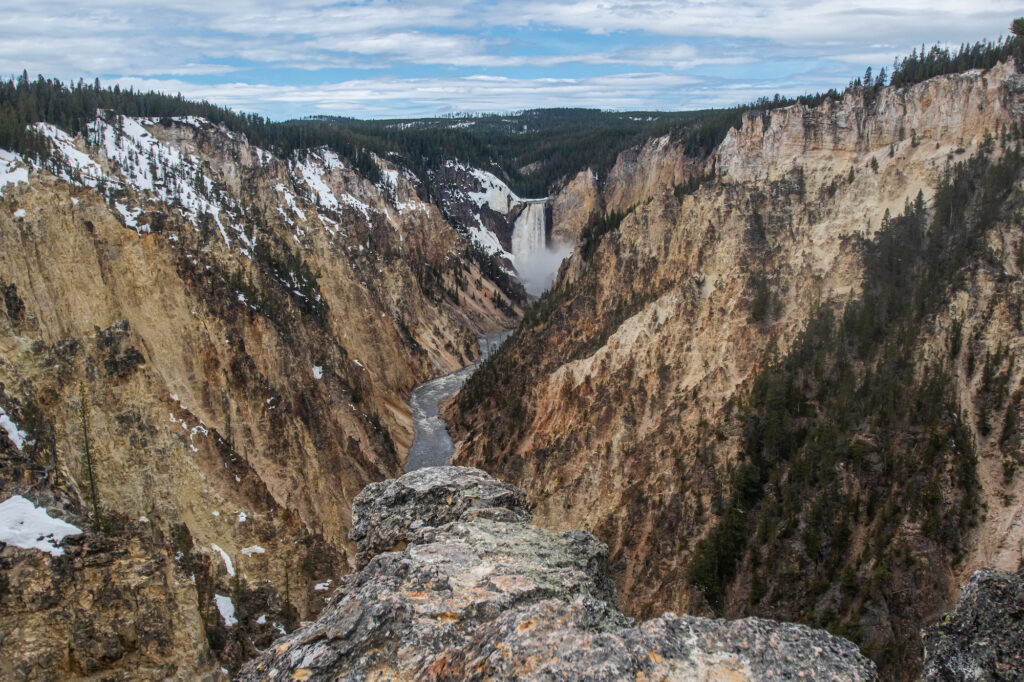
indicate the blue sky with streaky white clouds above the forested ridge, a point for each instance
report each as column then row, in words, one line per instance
column 400, row 59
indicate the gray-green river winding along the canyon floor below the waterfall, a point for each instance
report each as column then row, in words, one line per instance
column 433, row 446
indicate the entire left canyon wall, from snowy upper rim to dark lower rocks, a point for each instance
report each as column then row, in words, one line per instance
column 207, row 351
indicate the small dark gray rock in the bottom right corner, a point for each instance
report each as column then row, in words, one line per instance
column 984, row 637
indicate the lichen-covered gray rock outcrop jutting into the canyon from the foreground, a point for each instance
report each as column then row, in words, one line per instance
column 472, row 591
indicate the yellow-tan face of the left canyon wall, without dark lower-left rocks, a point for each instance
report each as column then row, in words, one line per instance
column 246, row 368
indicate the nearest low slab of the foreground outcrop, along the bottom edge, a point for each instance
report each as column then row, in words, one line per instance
column 554, row 641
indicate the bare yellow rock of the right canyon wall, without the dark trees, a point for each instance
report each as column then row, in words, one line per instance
column 626, row 399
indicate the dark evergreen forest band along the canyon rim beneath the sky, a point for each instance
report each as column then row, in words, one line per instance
column 533, row 151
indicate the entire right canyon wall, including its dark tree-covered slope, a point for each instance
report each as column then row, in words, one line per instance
column 624, row 406
